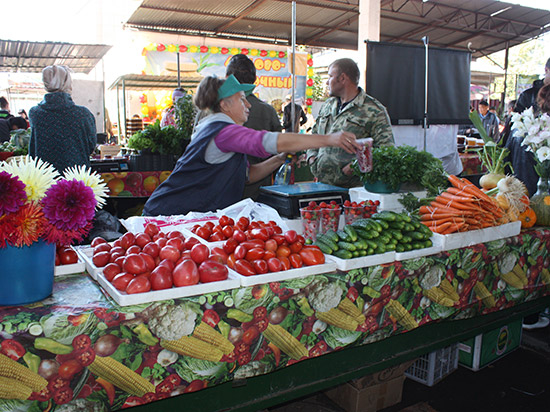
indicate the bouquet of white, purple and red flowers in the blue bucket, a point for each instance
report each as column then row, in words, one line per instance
column 36, row 203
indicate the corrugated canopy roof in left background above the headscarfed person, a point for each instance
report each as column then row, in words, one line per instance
column 32, row 57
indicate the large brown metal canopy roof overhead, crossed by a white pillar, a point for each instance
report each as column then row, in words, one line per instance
column 480, row 26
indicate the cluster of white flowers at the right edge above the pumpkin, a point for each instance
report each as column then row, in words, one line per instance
column 536, row 136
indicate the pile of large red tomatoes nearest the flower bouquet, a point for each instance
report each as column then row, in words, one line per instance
column 154, row 260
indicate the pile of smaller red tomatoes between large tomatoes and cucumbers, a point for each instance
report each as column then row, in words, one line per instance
column 258, row 247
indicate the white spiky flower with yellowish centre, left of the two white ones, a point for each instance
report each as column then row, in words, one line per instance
column 36, row 174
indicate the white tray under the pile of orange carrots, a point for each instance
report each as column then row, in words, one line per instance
column 473, row 237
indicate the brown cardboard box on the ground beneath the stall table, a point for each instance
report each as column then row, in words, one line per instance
column 372, row 392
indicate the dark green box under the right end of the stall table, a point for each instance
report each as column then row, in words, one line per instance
column 484, row 349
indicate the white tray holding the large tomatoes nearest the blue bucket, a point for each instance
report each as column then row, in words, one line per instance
column 123, row 299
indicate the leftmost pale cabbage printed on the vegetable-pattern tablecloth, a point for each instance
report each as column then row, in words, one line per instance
column 57, row 327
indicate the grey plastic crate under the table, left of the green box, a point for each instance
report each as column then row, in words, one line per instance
column 431, row 368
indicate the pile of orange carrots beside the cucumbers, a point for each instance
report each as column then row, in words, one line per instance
column 460, row 208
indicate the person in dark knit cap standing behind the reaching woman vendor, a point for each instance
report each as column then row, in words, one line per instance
column 261, row 116
